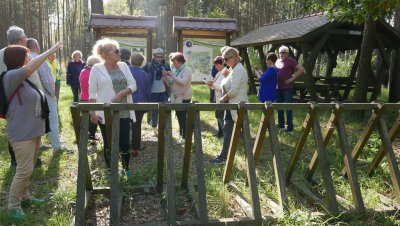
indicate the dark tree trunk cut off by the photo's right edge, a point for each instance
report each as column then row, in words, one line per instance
column 394, row 73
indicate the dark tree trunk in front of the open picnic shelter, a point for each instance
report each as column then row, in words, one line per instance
column 364, row 71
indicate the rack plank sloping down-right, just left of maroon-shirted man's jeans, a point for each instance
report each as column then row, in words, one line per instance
column 277, row 162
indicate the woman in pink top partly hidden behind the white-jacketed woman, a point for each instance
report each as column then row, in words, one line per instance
column 84, row 82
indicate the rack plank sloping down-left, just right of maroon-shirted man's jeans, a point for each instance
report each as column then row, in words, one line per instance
column 307, row 124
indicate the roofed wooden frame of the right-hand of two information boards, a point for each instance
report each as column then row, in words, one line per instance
column 214, row 28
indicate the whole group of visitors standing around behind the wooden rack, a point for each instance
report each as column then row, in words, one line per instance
column 114, row 75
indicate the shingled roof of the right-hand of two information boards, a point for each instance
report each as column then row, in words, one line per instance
column 205, row 24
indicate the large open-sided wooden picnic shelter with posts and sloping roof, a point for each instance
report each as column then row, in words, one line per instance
column 312, row 35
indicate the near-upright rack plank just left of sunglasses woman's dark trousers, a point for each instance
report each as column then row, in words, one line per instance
column 201, row 183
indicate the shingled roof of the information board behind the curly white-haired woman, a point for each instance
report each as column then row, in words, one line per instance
column 123, row 21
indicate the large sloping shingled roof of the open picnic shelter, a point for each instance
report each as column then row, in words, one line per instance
column 343, row 35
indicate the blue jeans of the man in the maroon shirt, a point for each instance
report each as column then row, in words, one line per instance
column 285, row 96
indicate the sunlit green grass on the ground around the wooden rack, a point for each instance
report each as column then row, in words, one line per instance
column 56, row 180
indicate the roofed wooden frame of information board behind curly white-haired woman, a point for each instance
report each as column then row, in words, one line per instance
column 125, row 26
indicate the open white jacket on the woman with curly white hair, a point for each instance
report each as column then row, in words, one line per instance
column 101, row 88
